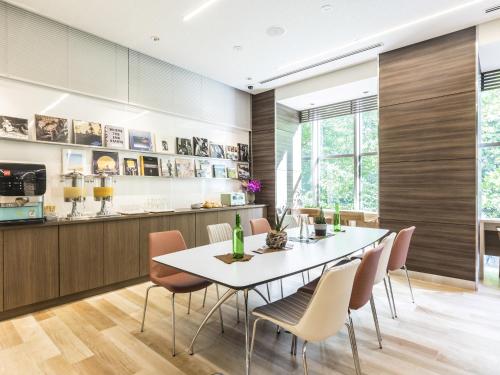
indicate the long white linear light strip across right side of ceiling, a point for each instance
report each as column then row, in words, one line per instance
column 383, row 33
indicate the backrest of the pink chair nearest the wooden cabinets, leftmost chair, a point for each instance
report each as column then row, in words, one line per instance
column 161, row 243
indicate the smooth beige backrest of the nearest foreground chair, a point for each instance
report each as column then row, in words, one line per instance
column 327, row 309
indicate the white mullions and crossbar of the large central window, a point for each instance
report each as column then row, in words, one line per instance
column 317, row 157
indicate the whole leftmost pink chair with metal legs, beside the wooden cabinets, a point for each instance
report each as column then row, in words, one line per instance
column 177, row 282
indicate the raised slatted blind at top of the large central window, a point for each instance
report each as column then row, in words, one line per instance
column 349, row 107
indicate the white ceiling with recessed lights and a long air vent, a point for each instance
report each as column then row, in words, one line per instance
column 205, row 43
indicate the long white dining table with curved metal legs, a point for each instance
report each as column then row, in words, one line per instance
column 263, row 268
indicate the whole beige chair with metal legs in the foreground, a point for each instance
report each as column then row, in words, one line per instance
column 317, row 316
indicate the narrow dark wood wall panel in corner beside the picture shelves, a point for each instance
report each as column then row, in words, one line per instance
column 263, row 148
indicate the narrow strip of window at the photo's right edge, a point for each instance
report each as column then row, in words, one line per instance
column 489, row 153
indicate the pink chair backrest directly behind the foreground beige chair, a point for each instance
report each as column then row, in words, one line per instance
column 365, row 276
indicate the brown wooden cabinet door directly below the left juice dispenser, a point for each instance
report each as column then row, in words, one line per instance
column 81, row 256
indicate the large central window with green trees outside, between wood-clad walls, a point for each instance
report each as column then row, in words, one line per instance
column 339, row 161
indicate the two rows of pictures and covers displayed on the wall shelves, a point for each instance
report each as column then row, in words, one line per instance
column 200, row 161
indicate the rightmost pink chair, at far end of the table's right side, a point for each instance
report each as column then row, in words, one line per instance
column 397, row 259
